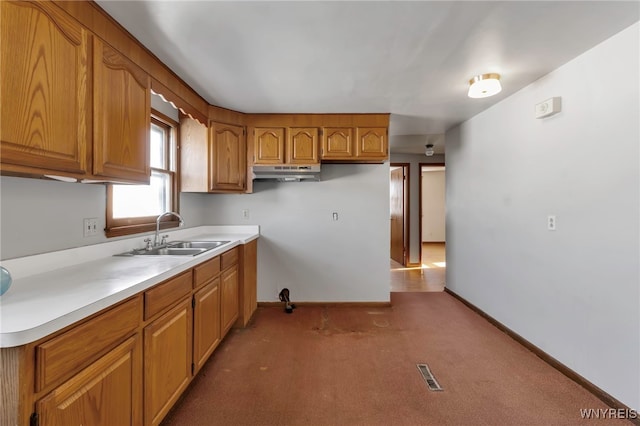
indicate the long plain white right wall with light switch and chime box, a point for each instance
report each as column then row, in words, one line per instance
column 573, row 292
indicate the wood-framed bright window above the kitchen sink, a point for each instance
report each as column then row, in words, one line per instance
column 134, row 208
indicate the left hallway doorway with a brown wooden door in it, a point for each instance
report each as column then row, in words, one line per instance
column 399, row 215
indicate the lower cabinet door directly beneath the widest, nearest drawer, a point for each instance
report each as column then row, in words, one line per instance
column 107, row 393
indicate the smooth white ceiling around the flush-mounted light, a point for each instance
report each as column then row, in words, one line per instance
column 412, row 59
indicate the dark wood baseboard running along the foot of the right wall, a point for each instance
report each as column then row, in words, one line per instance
column 595, row 390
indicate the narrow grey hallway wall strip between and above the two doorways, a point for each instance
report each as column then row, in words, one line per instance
column 414, row 161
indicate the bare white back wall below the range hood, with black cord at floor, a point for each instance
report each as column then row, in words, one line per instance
column 303, row 249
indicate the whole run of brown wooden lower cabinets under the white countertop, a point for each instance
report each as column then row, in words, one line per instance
column 129, row 364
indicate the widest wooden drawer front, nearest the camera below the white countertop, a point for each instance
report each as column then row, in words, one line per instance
column 76, row 348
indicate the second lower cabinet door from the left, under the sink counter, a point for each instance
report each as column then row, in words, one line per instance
column 167, row 361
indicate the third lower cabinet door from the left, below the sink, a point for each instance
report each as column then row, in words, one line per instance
column 206, row 322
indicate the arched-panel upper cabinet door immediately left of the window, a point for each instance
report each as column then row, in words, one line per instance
column 122, row 117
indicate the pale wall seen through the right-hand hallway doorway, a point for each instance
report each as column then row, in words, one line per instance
column 433, row 206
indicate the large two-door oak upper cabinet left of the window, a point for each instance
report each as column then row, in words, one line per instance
column 72, row 105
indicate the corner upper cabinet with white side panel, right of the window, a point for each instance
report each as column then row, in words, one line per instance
column 212, row 159
